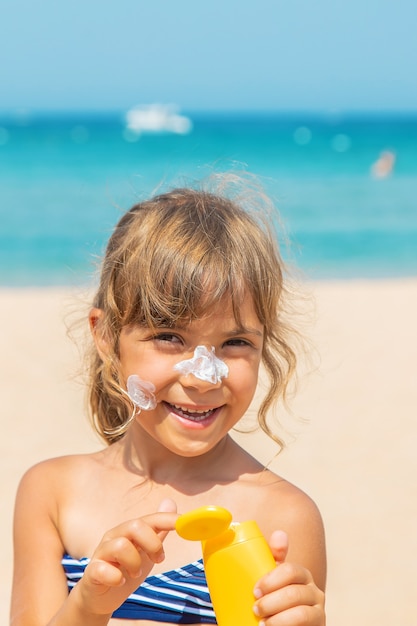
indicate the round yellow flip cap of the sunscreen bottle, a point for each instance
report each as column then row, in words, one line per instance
column 203, row 523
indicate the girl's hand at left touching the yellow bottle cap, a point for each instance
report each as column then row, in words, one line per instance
column 123, row 559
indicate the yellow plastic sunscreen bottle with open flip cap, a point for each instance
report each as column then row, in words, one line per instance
column 235, row 557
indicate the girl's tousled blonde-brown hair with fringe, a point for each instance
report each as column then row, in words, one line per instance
column 170, row 259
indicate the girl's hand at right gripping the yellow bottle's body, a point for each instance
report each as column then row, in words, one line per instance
column 288, row 596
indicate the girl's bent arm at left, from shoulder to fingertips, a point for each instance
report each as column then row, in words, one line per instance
column 119, row 564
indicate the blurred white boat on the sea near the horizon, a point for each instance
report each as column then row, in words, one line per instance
column 157, row 118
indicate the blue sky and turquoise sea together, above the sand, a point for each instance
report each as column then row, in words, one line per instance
column 102, row 105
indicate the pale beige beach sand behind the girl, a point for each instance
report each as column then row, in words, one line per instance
column 354, row 453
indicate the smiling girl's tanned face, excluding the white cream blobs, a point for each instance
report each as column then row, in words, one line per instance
column 192, row 415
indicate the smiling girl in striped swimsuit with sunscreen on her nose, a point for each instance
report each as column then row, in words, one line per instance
column 190, row 304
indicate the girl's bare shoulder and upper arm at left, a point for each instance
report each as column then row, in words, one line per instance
column 38, row 543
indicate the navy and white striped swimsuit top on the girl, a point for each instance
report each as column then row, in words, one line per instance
column 179, row 596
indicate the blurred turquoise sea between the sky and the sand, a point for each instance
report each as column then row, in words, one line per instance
column 345, row 186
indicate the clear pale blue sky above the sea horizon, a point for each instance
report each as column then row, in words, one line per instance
column 211, row 55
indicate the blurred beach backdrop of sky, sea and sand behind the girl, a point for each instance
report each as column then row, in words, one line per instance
column 101, row 104
